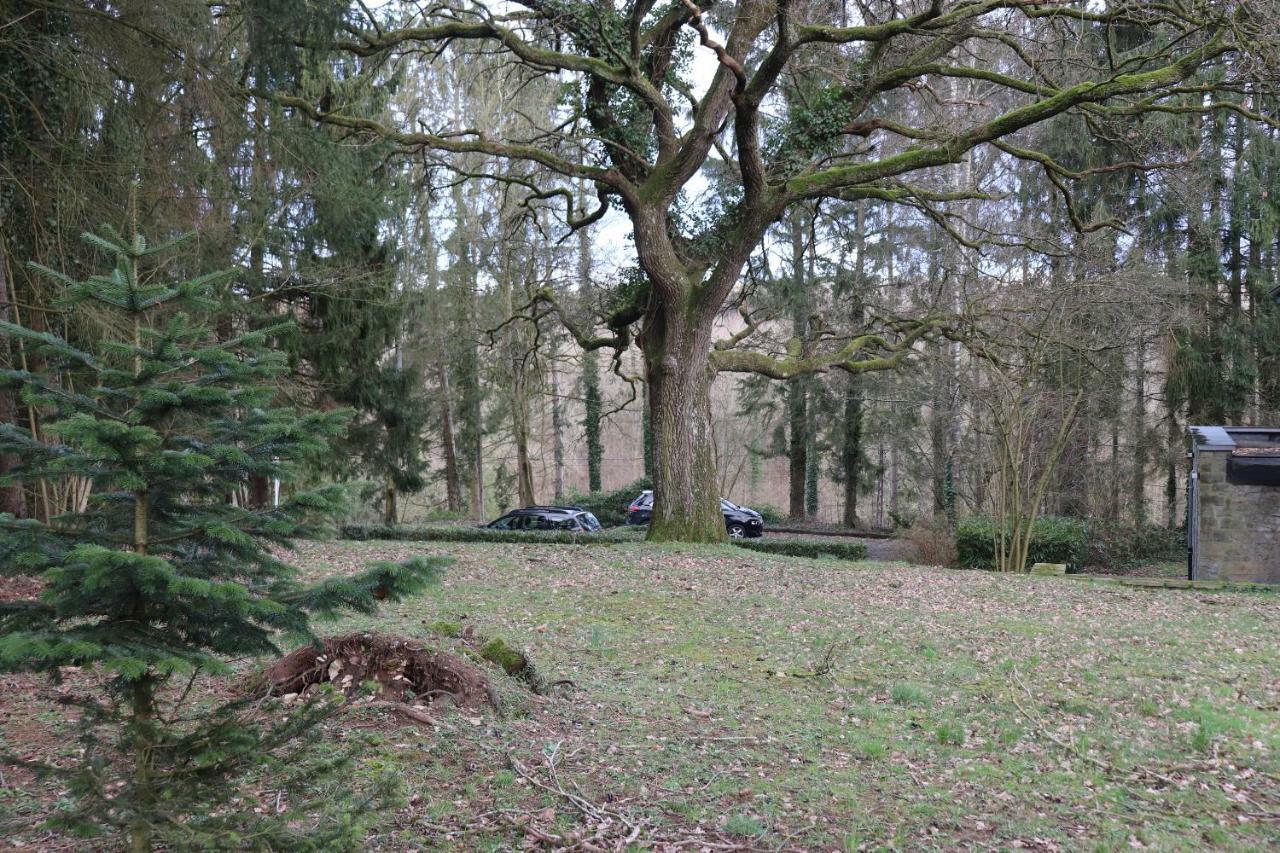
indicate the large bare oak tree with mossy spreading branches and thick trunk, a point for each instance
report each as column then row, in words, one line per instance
column 884, row 98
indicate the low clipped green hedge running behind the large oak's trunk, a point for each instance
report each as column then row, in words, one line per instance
column 788, row 548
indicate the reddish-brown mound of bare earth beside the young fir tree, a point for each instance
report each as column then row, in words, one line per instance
column 401, row 669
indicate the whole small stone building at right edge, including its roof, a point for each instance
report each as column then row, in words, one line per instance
column 1235, row 505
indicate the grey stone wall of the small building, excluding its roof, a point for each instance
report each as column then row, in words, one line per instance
column 1240, row 527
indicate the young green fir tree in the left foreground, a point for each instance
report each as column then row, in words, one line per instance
column 164, row 576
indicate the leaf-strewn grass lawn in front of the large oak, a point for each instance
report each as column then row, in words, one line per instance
column 725, row 700
